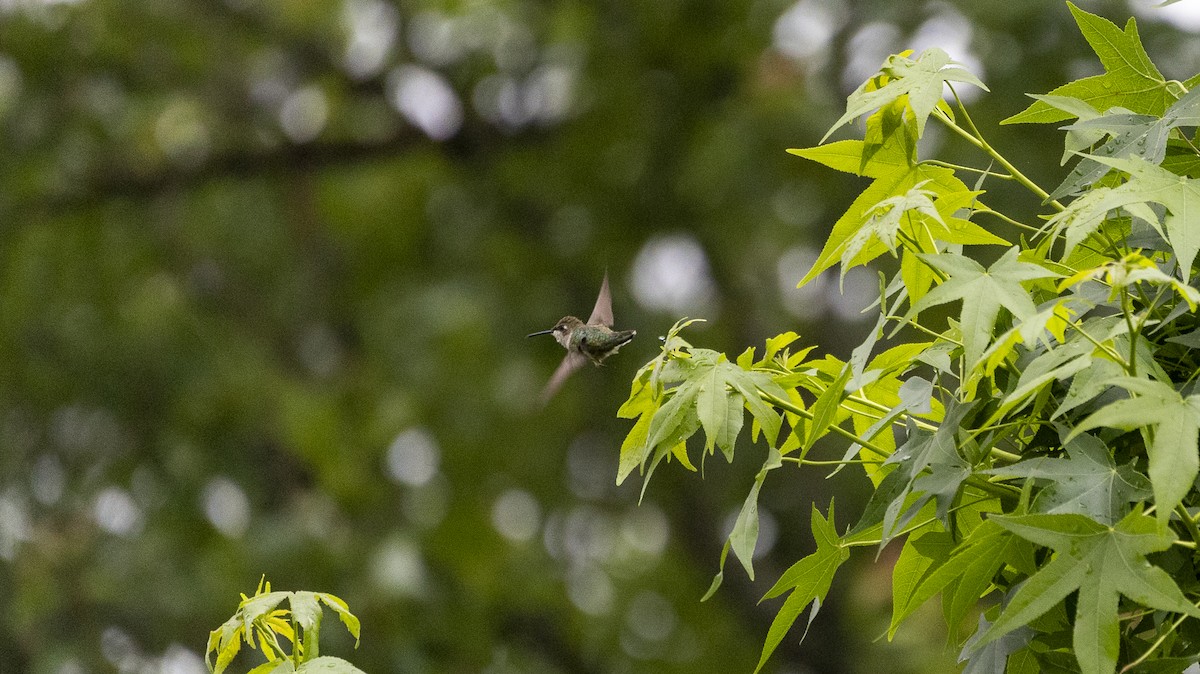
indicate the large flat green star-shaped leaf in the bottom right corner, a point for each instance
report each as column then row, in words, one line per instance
column 1101, row 563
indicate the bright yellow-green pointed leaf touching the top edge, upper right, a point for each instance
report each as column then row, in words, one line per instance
column 1131, row 80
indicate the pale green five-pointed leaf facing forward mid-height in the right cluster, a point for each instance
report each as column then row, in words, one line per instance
column 982, row 292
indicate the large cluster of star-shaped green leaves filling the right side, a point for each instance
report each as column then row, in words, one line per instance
column 1029, row 425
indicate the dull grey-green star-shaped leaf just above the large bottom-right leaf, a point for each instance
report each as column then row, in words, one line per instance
column 1085, row 483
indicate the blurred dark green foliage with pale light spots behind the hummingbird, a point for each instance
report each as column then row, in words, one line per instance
column 266, row 270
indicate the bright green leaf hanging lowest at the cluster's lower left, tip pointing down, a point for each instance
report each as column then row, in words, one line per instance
column 808, row 581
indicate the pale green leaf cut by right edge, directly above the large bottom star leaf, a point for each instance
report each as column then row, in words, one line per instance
column 1174, row 423
